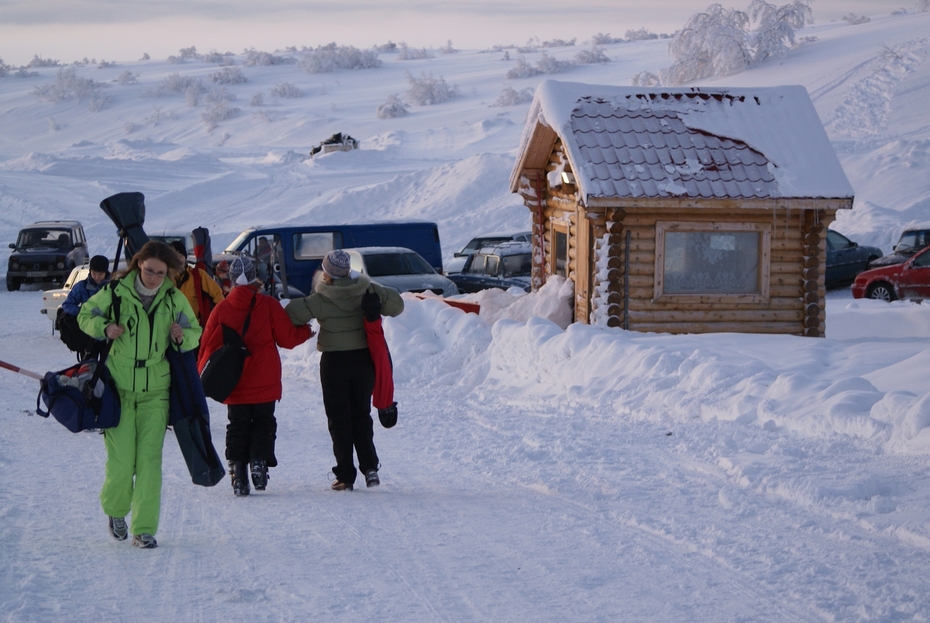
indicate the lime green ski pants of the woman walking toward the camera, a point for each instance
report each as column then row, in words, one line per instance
column 134, row 450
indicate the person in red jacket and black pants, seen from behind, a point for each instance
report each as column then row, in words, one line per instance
column 250, row 434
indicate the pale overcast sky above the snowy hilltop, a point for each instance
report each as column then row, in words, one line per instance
column 122, row 30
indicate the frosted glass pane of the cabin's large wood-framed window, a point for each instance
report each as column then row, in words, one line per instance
column 711, row 262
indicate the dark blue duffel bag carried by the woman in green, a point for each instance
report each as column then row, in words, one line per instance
column 81, row 397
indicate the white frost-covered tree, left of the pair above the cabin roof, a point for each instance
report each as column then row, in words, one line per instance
column 712, row 43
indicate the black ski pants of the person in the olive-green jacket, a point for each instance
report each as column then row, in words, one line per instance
column 347, row 379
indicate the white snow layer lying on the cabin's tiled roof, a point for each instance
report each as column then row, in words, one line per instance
column 779, row 123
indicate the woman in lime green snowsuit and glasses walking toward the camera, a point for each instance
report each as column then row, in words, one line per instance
column 152, row 313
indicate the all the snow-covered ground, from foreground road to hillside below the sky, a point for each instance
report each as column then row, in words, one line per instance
column 538, row 473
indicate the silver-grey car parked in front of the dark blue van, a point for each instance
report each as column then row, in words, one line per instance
column 399, row 268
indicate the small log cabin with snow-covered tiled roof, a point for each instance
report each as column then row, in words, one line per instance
column 682, row 210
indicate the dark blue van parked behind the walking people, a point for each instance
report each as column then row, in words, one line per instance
column 296, row 252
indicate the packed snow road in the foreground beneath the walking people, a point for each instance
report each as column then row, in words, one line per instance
column 495, row 506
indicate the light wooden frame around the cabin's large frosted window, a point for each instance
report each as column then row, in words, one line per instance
column 762, row 295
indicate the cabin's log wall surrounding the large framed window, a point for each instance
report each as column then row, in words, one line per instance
column 796, row 293
